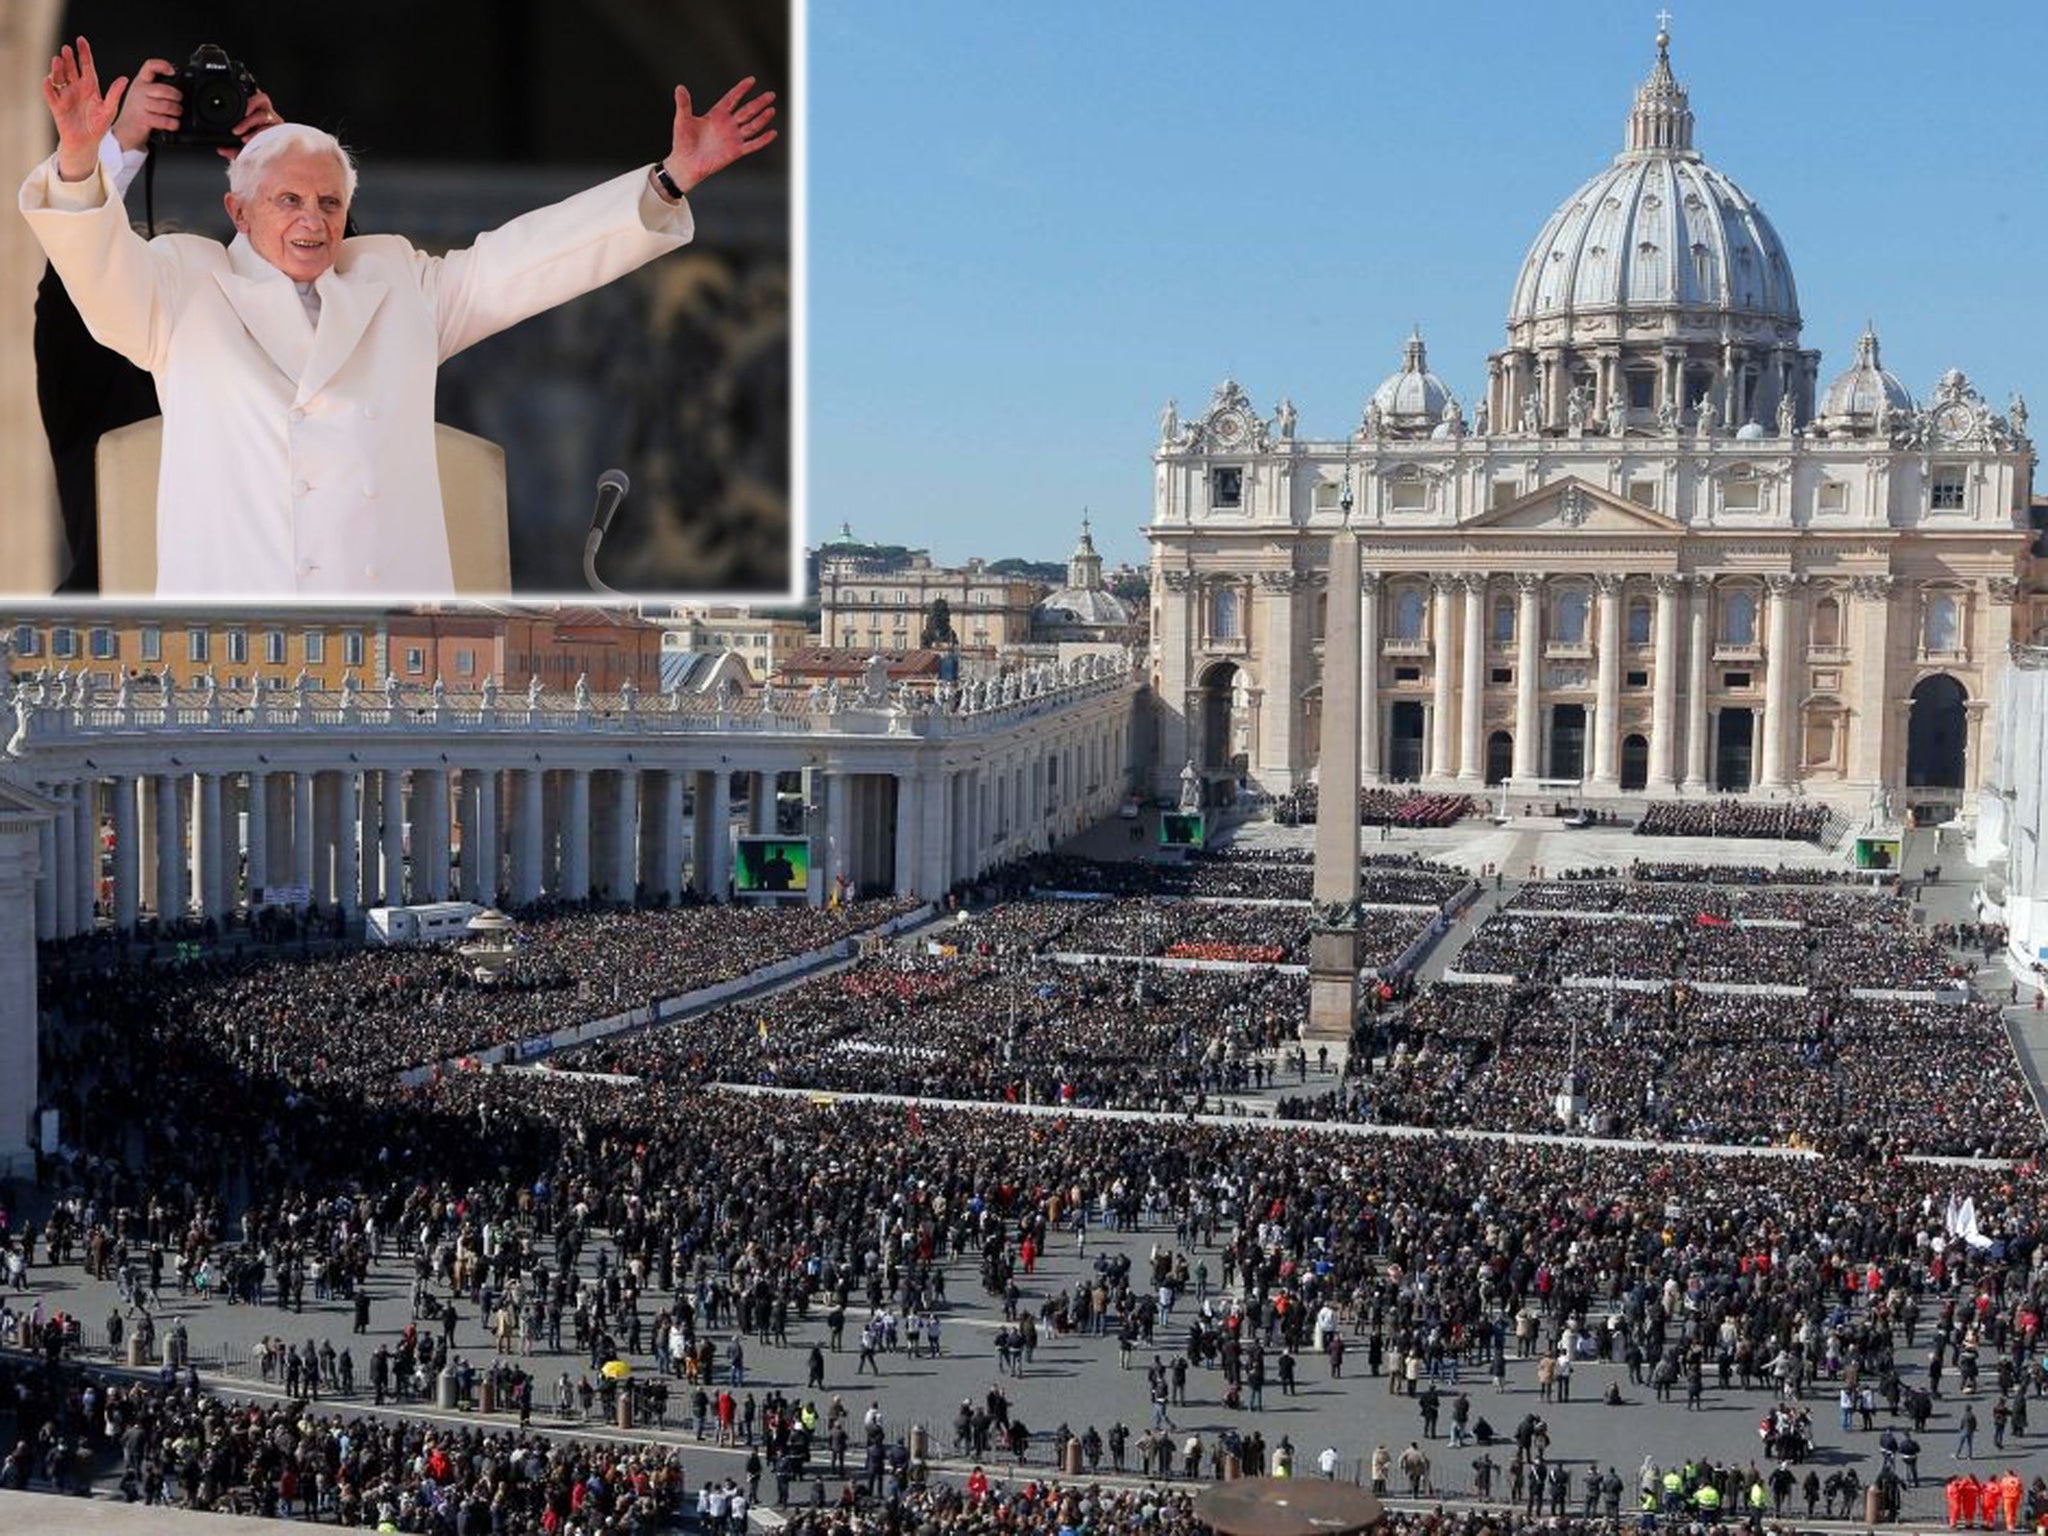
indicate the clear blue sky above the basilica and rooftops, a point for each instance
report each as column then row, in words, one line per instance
column 1029, row 226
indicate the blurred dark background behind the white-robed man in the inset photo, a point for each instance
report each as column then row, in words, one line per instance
column 466, row 114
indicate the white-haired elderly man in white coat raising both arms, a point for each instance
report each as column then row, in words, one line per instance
column 298, row 368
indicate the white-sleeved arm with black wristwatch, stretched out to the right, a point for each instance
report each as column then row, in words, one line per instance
column 554, row 255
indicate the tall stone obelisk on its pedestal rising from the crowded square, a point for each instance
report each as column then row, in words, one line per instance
column 1334, row 937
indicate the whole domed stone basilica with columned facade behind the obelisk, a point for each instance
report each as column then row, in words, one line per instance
column 1662, row 554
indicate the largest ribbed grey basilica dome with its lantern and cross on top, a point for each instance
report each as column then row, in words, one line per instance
column 1658, row 230
